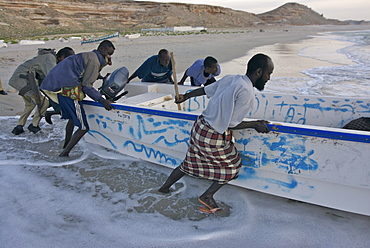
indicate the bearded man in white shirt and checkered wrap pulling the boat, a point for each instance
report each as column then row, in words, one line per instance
column 211, row 153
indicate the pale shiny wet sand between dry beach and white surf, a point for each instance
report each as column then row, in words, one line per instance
column 291, row 59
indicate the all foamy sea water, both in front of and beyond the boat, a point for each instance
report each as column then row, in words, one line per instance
column 100, row 198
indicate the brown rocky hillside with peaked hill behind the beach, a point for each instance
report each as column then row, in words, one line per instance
column 40, row 17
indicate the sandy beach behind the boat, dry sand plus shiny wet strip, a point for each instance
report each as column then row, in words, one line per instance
column 232, row 48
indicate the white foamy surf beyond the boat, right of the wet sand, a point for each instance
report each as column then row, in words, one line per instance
column 343, row 80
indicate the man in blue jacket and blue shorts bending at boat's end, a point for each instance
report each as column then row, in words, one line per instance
column 72, row 78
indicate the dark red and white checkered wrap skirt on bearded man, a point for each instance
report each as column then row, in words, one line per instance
column 211, row 155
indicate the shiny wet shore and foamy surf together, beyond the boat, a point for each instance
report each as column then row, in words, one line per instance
column 335, row 64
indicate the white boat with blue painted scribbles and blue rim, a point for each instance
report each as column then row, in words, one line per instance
column 307, row 156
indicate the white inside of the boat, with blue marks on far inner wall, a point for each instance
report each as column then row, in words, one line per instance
column 322, row 111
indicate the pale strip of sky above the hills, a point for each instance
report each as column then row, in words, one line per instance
column 332, row 9
